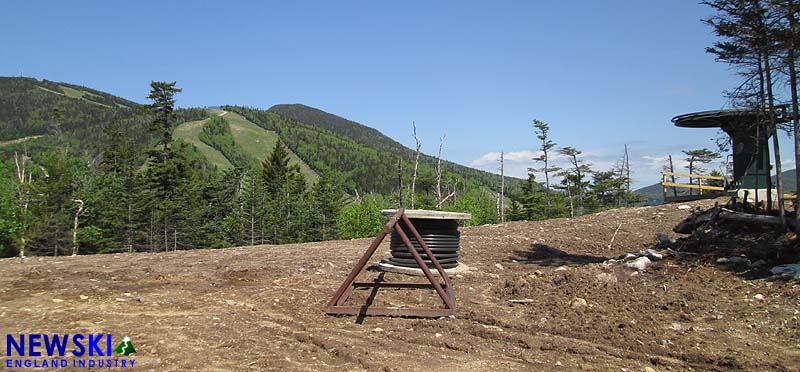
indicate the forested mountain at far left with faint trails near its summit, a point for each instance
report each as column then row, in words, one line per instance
column 42, row 115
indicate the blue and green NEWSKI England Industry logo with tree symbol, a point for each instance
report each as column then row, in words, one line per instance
column 37, row 350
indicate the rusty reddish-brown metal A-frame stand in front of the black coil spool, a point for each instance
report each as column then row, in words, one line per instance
column 444, row 290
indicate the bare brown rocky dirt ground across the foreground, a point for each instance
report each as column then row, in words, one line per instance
column 262, row 308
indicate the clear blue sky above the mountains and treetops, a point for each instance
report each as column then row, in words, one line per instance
column 601, row 73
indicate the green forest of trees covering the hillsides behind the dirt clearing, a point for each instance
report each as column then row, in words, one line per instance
column 99, row 174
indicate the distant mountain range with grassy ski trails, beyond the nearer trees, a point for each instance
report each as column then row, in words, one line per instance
column 40, row 115
